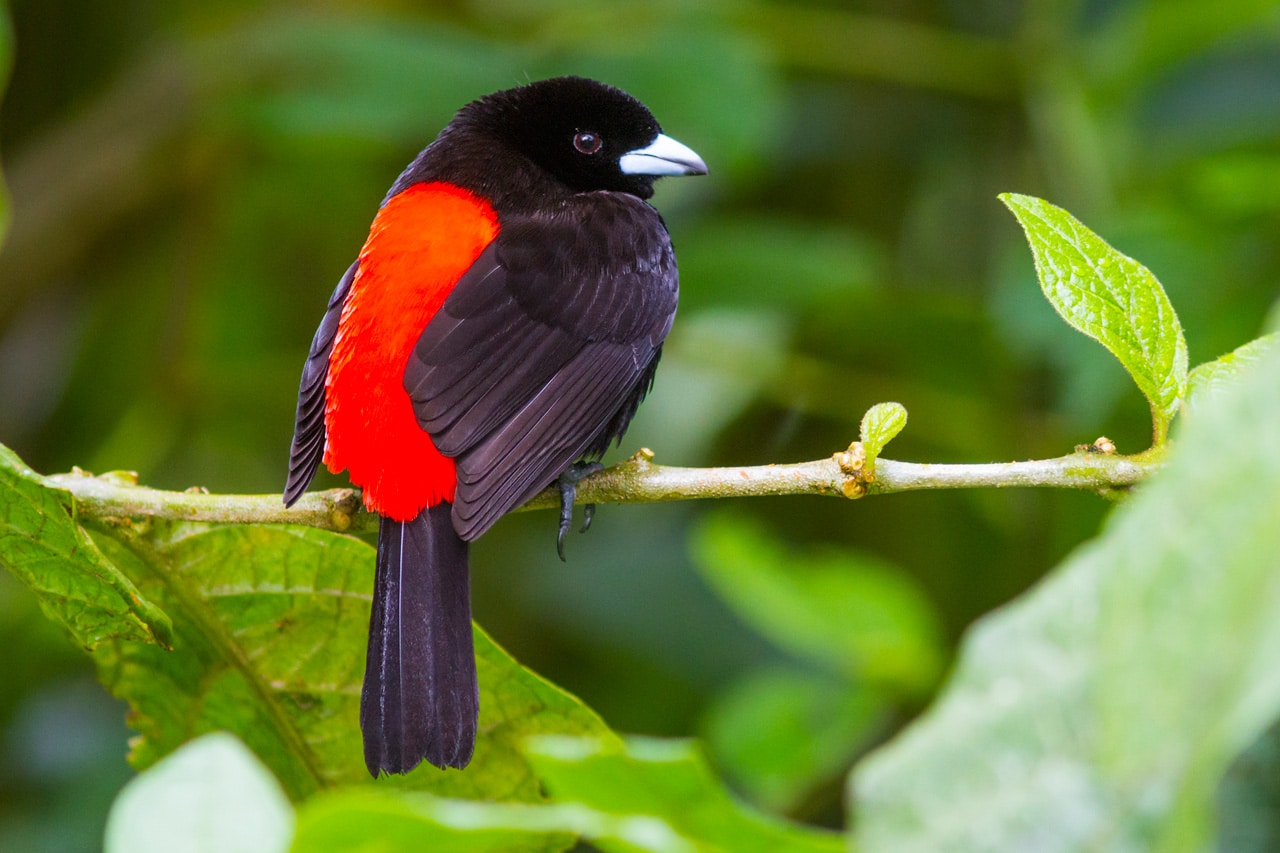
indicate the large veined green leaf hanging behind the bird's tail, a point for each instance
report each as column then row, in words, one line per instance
column 271, row 628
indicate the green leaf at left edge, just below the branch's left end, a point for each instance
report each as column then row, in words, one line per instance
column 76, row 586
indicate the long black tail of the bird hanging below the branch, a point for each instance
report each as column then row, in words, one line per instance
column 420, row 699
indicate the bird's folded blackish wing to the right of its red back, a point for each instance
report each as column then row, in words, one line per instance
column 542, row 352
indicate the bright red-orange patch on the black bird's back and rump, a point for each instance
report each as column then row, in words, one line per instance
column 419, row 247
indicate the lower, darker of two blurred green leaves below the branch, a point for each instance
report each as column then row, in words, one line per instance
column 783, row 735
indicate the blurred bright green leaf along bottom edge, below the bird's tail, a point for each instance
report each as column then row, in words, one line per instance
column 642, row 796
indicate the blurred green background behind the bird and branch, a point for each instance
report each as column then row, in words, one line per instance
column 190, row 180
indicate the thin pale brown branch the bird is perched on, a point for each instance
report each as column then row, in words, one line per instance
column 117, row 496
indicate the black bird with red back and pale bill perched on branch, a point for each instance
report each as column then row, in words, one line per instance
column 496, row 334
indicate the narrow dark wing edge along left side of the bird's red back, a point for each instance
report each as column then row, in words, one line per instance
column 309, row 435
